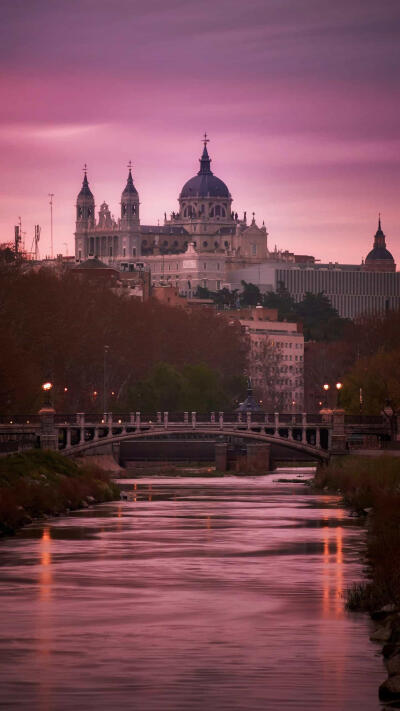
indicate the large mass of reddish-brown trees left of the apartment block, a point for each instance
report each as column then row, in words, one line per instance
column 56, row 328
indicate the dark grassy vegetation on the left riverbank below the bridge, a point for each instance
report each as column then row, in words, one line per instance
column 44, row 483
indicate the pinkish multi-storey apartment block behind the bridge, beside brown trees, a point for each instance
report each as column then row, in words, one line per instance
column 276, row 364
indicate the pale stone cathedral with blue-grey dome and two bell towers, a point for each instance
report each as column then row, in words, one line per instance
column 204, row 224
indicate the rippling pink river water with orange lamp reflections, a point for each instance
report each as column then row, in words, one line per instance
column 206, row 594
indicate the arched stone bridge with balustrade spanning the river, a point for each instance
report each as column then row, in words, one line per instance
column 254, row 435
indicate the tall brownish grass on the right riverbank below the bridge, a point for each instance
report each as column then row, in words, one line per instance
column 371, row 485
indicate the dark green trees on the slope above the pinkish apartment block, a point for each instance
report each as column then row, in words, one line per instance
column 321, row 322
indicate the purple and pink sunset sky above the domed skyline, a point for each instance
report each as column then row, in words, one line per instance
column 300, row 99
